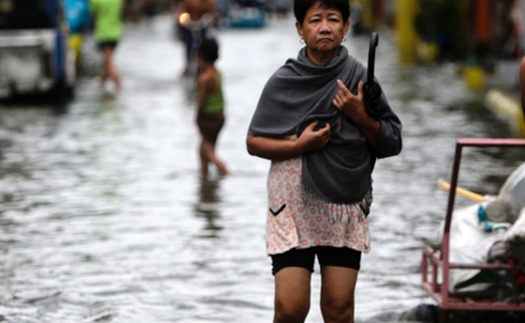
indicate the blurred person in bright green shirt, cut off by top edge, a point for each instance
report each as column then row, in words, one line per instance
column 108, row 31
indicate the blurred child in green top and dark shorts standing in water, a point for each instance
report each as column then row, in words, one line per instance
column 210, row 106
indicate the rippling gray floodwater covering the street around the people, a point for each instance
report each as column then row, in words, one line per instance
column 104, row 218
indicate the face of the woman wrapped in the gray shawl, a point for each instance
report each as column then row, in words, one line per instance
column 323, row 30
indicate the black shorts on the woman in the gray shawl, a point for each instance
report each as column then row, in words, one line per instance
column 327, row 256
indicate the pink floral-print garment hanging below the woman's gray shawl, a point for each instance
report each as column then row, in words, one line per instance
column 299, row 218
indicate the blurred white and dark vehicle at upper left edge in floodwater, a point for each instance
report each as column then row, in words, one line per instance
column 35, row 56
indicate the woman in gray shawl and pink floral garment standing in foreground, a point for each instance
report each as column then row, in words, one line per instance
column 311, row 122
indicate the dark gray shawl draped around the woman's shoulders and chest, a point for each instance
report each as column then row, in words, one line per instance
column 300, row 92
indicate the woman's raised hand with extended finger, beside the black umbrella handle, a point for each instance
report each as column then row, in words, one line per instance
column 350, row 104
